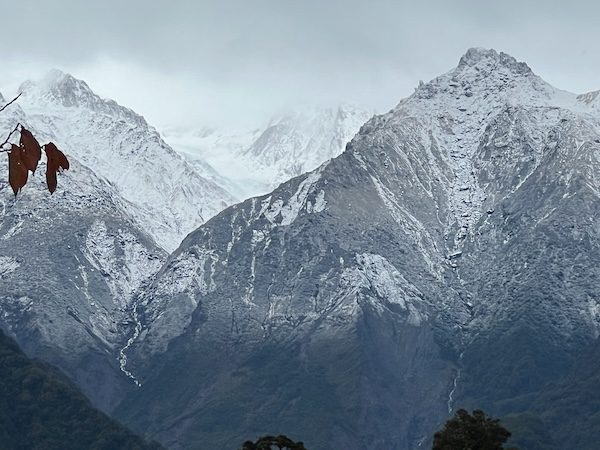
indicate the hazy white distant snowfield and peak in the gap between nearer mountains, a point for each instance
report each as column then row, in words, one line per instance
column 257, row 161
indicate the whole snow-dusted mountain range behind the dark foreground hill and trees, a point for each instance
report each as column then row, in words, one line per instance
column 446, row 256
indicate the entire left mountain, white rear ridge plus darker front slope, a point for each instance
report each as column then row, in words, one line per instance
column 72, row 264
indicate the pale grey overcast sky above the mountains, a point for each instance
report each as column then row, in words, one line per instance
column 236, row 62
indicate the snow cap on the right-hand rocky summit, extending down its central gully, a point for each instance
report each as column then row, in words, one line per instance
column 453, row 112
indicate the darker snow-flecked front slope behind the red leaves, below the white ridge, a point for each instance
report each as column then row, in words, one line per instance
column 69, row 265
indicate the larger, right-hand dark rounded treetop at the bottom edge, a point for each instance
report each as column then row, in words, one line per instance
column 471, row 432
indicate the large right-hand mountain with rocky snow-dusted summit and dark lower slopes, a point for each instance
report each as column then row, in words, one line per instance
column 447, row 258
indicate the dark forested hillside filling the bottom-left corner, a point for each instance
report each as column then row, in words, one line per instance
column 41, row 409
